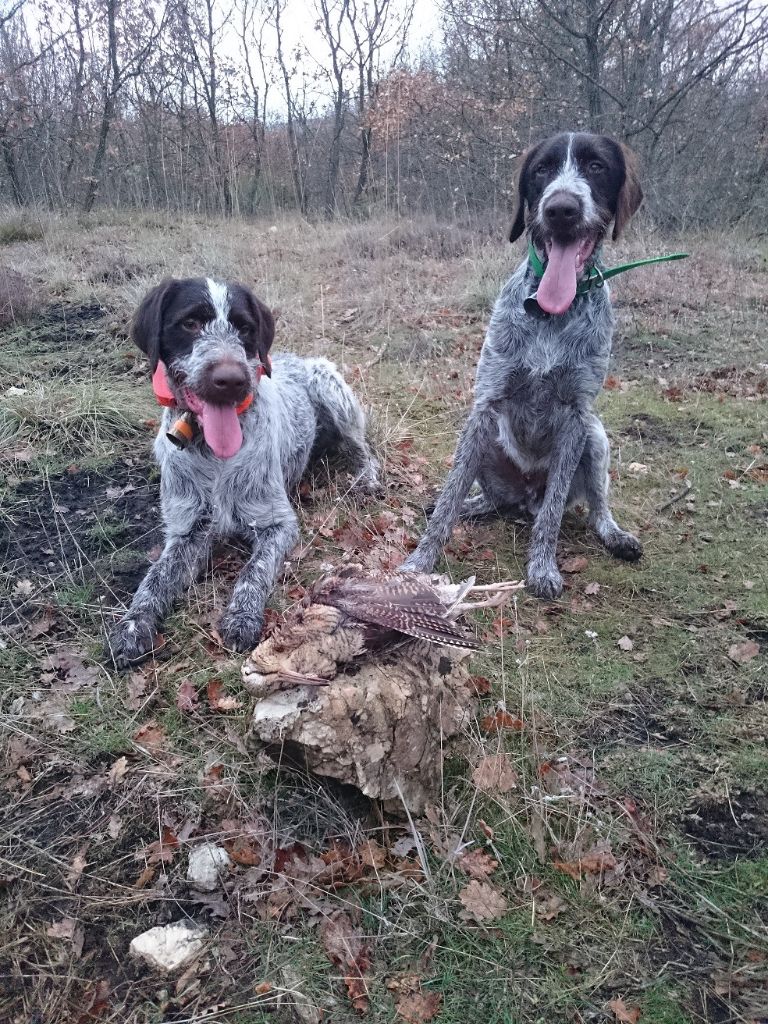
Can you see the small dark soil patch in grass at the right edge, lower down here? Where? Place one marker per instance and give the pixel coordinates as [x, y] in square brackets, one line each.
[730, 827]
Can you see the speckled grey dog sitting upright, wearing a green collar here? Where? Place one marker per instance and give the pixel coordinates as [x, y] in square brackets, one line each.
[533, 442]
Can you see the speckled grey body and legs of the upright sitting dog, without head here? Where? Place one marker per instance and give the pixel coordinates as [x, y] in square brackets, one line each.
[533, 441]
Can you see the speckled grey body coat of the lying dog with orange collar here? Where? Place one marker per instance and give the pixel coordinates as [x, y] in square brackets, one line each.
[305, 410]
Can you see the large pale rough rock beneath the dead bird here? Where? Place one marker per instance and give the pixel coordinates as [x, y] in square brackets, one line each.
[387, 729]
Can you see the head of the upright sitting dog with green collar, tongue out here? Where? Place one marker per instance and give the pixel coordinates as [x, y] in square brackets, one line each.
[571, 189]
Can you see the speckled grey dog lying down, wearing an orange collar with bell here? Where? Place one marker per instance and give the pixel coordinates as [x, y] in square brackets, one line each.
[259, 426]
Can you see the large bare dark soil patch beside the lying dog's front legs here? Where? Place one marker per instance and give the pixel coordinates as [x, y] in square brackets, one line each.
[106, 520]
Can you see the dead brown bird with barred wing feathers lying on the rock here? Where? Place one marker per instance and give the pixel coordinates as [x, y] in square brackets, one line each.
[357, 612]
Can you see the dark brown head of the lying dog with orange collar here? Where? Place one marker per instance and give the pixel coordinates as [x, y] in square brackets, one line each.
[212, 339]
